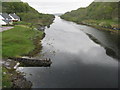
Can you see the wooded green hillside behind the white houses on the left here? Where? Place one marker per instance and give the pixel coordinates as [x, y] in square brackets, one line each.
[27, 13]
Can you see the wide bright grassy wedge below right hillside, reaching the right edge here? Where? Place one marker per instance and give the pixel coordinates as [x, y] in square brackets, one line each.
[107, 25]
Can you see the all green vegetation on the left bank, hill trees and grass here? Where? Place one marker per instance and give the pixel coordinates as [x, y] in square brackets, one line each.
[24, 38]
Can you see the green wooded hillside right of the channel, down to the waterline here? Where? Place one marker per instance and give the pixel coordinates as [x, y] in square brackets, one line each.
[103, 14]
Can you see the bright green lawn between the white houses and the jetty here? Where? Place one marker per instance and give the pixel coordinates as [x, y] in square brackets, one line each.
[18, 41]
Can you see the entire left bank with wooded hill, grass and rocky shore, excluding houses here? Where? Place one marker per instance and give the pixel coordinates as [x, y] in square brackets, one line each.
[22, 40]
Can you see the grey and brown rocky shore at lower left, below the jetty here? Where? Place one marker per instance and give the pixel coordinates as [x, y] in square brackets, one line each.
[17, 78]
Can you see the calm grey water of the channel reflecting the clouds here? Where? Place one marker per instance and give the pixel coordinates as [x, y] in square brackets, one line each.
[78, 61]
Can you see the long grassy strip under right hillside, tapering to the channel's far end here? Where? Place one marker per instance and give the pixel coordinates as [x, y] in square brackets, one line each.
[107, 25]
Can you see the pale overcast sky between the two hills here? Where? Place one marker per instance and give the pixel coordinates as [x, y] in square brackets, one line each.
[57, 6]
